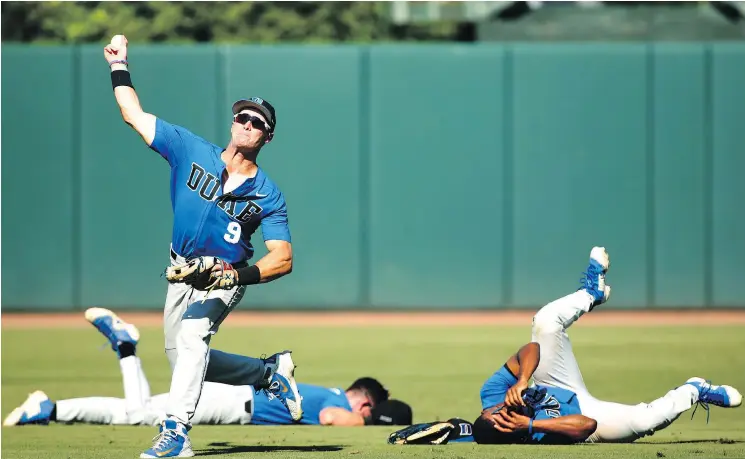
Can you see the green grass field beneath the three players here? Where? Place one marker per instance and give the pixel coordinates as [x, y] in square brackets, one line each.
[438, 370]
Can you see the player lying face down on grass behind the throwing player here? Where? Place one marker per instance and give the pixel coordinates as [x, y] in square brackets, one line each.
[365, 402]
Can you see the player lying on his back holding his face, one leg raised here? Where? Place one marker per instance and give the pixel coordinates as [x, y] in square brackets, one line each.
[558, 408]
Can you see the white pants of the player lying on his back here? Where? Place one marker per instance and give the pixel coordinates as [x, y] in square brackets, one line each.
[558, 367]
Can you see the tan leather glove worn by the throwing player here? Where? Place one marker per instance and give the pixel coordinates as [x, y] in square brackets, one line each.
[203, 273]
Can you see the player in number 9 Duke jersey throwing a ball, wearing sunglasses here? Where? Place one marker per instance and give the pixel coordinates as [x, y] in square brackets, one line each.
[220, 197]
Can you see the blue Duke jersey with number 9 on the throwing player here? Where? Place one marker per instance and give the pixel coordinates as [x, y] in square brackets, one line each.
[207, 221]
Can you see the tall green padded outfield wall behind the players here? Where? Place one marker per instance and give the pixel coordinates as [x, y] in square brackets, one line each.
[443, 176]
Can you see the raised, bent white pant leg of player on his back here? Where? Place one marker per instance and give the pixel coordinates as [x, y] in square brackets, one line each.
[558, 367]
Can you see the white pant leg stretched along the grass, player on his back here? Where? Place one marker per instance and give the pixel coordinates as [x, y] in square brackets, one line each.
[619, 423]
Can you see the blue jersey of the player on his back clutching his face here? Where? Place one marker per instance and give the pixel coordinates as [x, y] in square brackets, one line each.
[554, 403]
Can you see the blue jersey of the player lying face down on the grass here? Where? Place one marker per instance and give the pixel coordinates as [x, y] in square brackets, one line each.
[315, 399]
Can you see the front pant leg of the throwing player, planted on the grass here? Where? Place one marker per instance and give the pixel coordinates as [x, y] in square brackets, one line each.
[191, 318]
